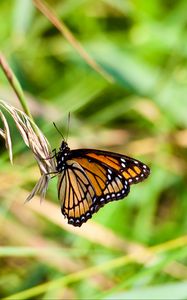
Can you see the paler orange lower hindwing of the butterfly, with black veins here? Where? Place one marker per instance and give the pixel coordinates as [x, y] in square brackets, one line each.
[75, 193]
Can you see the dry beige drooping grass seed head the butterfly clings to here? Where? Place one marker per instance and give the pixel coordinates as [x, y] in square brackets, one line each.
[35, 140]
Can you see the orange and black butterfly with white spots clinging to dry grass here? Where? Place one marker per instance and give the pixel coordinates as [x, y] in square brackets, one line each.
[88, 179]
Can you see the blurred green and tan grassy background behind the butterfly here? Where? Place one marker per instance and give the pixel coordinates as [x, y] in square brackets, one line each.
[132, 249]
